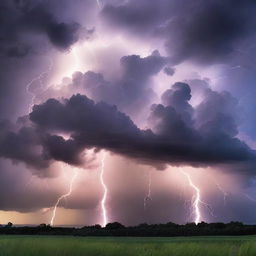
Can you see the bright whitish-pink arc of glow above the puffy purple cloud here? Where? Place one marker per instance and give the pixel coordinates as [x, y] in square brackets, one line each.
[87, 55]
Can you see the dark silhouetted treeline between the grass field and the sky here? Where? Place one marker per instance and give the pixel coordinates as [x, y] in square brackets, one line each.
[117, 229]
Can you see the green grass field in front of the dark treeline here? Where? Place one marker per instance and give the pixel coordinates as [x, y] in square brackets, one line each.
[79, 246]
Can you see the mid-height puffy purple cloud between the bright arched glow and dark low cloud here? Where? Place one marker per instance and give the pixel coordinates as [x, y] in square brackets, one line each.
[131, 90]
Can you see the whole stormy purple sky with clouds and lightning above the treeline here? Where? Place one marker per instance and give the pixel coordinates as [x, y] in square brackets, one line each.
[126, 110]
